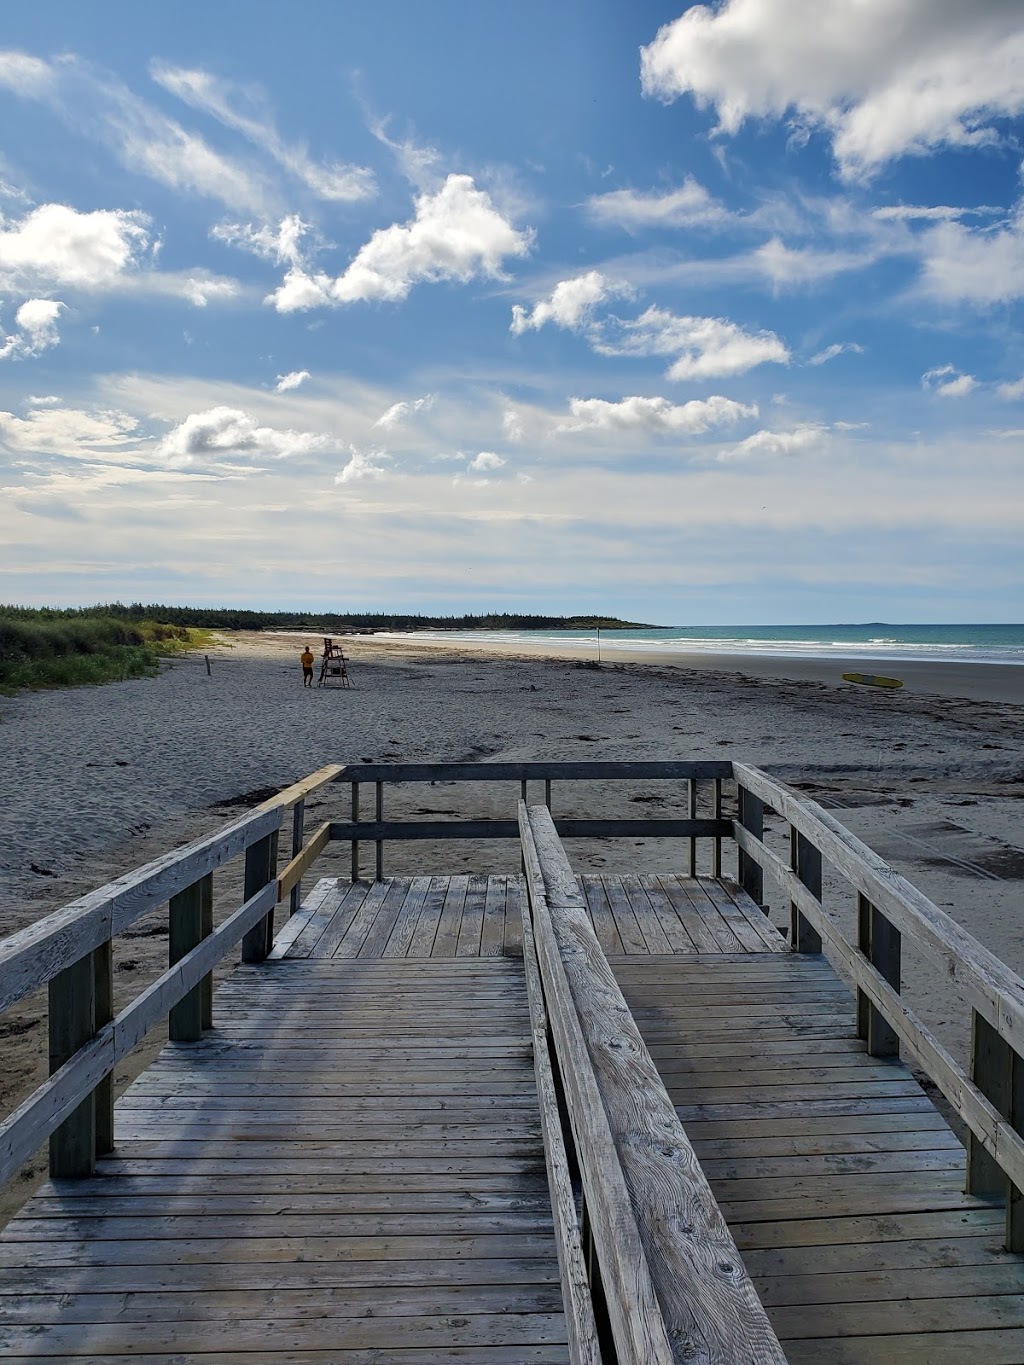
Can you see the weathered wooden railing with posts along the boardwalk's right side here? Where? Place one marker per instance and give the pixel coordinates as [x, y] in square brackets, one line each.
[991, 1101]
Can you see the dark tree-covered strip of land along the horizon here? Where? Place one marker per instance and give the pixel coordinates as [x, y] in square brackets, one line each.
[236, 619]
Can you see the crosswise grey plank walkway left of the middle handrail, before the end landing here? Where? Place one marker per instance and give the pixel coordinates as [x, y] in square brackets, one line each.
[347, 1169]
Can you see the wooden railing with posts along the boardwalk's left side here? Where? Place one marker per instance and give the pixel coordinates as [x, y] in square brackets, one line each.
[70, 952]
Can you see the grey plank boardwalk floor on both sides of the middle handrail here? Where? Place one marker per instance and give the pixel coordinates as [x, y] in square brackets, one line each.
[349, 1168]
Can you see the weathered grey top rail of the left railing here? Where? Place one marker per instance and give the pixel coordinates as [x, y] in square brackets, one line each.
[36, 955]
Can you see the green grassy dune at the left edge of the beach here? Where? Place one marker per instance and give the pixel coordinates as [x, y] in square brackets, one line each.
[66, 649]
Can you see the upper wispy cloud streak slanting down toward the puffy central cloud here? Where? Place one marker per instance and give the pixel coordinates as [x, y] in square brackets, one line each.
[221, 99]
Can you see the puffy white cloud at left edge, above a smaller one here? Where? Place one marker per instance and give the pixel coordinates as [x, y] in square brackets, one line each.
[59, 246]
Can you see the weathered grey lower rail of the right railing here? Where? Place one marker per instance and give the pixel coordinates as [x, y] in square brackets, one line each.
[996, 1135]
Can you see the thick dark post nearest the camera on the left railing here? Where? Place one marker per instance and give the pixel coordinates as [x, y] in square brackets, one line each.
[72, 1026]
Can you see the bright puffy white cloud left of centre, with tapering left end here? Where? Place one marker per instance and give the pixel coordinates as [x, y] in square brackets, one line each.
[457, 234]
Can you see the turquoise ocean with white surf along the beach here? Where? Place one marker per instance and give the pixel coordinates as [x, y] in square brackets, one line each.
[874, 641]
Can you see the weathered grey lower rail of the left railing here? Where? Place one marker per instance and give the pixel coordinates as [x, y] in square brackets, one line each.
[58, 1098]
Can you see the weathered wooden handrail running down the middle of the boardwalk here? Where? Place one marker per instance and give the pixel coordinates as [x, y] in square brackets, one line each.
[671, 1277]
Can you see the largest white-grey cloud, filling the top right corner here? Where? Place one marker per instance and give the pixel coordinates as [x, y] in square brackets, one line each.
[883, 78]
